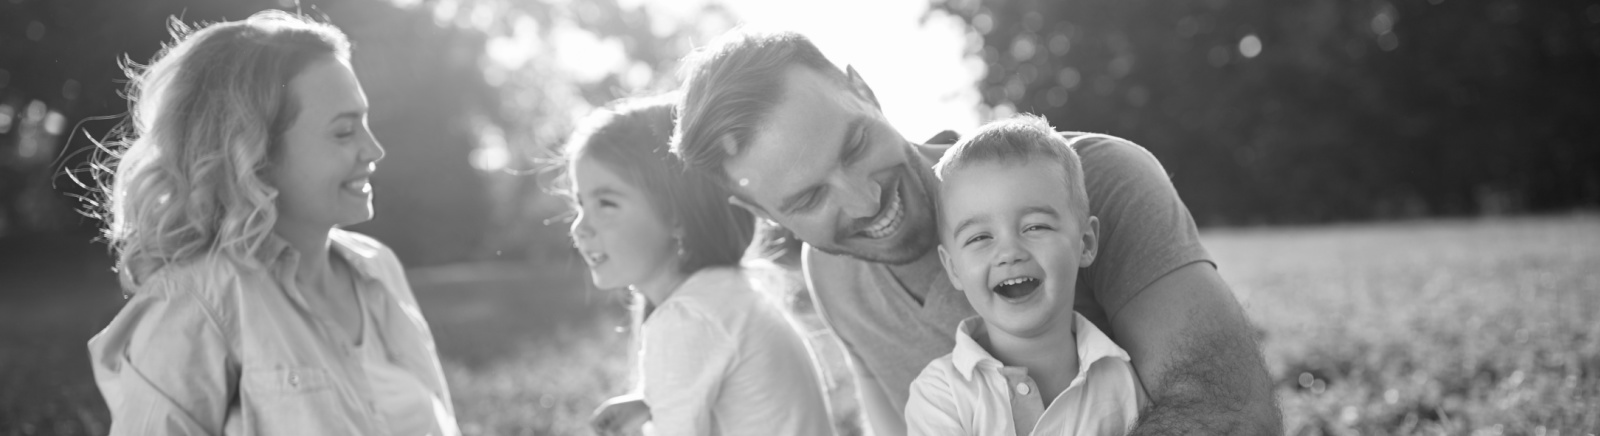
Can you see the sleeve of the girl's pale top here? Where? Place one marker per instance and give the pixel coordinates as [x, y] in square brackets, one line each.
[686, 360]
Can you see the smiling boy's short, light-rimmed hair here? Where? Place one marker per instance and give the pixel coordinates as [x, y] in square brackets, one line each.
[1020, 140]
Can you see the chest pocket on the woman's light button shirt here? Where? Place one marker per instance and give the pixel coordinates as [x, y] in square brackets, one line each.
[289, 400]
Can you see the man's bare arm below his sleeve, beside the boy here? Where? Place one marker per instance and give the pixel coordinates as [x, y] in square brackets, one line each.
[1198, 358]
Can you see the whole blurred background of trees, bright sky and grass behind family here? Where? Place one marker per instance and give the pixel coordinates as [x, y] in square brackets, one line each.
[1402, 195]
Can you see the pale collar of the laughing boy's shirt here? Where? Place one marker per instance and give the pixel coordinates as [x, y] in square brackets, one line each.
[1094, 345]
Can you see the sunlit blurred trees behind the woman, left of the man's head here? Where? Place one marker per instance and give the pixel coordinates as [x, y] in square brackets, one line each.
[465, 95]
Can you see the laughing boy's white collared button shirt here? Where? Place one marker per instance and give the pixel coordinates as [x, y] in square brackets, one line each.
[970, 392]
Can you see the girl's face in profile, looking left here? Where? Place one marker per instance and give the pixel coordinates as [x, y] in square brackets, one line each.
[620, 233]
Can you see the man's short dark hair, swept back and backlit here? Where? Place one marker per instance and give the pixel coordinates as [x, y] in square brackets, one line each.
[732, 87]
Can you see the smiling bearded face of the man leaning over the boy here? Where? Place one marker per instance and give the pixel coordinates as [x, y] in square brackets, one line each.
[828, 166]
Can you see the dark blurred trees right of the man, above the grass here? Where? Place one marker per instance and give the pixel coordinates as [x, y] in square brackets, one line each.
[1318, 110]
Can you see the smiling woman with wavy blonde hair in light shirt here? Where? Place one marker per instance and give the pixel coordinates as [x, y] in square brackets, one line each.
[249, 310]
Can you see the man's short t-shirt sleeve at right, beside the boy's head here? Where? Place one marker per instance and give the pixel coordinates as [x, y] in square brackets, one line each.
[1146, 230]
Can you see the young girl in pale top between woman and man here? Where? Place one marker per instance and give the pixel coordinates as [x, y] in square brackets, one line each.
[716, 358]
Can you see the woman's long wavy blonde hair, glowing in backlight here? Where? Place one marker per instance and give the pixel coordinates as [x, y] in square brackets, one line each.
[206, 121]
